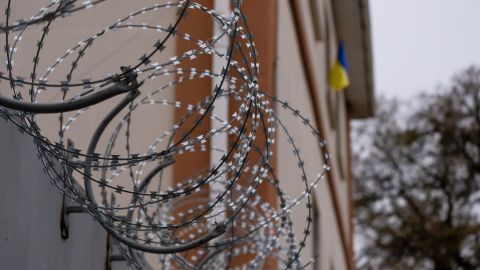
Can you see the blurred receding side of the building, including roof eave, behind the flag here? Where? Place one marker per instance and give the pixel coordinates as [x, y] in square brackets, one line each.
[309, 33]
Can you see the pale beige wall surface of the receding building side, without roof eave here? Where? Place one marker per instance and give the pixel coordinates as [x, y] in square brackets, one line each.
[292, 87]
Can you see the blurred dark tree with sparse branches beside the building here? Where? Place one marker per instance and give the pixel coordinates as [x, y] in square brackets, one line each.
[417, 169]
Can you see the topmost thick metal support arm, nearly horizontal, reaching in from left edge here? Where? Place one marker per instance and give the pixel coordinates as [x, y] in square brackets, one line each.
[69, 105]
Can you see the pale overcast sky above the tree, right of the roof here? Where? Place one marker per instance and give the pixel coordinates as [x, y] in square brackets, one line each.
[419, 44]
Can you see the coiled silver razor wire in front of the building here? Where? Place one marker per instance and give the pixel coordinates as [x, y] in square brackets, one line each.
[213, 218]
